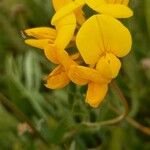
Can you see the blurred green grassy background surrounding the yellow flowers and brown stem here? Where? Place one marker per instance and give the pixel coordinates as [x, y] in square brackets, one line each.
[35, 118]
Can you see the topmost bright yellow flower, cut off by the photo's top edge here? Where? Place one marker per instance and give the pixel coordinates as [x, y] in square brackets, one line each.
[115, 8]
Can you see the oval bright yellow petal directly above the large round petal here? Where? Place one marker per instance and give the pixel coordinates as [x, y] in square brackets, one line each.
[115, 10]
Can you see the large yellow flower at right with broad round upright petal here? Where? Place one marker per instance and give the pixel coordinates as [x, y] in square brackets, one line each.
[100, 40]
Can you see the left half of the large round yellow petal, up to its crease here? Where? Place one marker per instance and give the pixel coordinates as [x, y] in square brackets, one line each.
[89, 40]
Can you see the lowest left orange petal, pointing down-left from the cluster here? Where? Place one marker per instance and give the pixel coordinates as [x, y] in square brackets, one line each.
[57, 79]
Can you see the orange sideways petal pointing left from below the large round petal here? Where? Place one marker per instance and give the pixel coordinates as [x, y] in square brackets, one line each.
[85, 73]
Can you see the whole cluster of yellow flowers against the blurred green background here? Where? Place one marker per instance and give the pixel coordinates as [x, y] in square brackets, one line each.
[99, 40]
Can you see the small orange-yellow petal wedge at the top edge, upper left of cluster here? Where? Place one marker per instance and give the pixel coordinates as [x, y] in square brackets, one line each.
[58, 4]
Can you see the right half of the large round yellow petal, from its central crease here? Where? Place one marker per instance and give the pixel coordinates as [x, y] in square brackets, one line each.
[117, 38]
